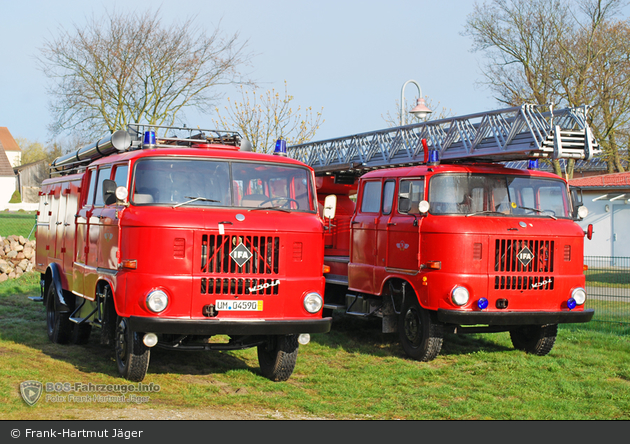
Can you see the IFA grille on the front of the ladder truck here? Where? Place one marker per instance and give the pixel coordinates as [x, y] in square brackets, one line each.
[524, 264]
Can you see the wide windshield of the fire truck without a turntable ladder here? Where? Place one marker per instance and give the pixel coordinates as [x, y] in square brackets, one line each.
[210, 183]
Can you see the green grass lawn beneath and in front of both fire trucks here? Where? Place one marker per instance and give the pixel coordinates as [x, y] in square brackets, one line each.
[353, 372]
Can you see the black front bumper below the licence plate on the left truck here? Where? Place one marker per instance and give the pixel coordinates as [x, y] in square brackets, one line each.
[228, 327]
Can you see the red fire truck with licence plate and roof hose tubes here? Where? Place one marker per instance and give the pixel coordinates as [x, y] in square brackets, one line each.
[187, 242]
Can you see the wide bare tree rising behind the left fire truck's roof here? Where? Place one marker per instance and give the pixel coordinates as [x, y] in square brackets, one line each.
[124, 68]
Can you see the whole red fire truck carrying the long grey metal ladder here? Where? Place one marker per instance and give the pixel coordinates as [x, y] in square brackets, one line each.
[452, 239]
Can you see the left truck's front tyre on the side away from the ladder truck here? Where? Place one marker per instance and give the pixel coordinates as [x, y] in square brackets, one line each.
[132, 356]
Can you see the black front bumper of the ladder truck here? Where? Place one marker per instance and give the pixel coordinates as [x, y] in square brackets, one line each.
[513, 318]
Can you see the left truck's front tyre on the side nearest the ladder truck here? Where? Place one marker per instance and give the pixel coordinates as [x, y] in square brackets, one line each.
[278, 356]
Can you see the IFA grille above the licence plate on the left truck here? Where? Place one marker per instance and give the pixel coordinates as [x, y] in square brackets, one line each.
[257, 273]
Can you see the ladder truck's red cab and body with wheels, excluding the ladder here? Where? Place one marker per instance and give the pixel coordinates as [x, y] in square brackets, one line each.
[466, 247]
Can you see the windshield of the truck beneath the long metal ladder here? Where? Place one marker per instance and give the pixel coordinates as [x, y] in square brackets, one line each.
[479, 194]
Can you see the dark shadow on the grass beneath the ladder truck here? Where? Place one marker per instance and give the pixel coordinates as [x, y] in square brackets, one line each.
[364, 335]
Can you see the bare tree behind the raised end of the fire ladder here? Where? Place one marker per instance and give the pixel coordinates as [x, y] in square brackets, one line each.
[557, 51]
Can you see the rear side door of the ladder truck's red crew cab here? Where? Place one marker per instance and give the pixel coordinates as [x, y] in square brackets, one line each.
[363, 252]
